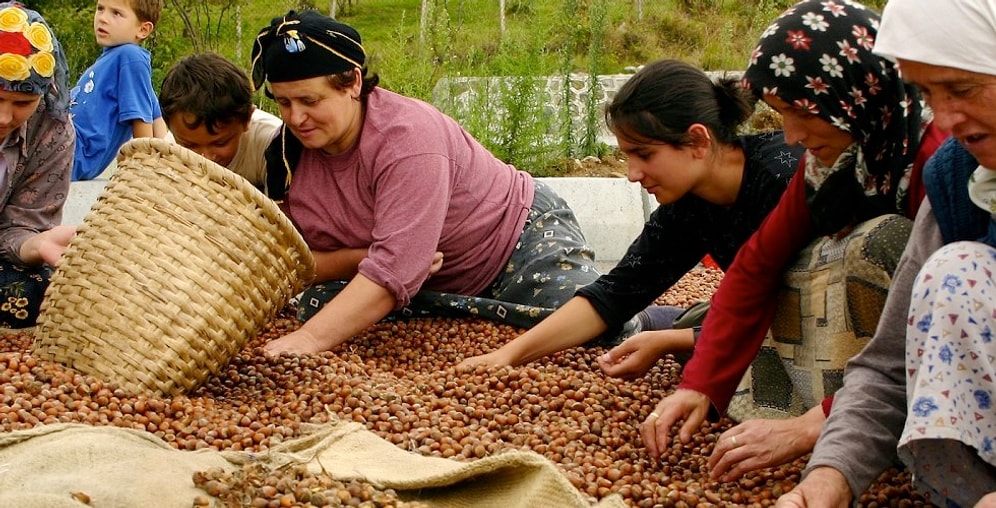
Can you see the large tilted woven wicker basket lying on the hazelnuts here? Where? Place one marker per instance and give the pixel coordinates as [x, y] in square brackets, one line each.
[178, 265]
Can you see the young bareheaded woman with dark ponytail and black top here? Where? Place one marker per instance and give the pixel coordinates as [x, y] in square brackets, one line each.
[679, 130]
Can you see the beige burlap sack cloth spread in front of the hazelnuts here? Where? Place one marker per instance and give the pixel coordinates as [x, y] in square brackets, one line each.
[43, 467]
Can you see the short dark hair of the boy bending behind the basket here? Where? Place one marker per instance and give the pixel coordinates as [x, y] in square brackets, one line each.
[210, 88]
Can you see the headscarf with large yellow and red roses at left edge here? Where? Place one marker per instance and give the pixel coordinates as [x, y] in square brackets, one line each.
[31, 59]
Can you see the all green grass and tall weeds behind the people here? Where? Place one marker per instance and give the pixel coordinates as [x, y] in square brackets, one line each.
[412, 50]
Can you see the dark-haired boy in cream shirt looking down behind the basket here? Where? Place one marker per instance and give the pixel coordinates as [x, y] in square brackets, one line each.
[206, 102]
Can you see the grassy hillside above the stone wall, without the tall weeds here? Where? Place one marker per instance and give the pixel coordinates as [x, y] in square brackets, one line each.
[463, 36]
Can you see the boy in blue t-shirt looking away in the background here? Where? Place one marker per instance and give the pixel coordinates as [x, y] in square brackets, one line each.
[114, 100]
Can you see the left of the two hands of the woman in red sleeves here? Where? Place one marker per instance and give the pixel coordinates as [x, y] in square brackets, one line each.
[688, 405]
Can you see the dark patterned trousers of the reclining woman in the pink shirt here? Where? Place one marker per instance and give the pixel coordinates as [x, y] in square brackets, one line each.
[549, 263]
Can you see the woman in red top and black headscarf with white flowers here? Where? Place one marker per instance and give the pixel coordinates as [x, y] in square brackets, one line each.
[866, 139]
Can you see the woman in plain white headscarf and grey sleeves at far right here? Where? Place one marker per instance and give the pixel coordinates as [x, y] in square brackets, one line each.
[923, 388]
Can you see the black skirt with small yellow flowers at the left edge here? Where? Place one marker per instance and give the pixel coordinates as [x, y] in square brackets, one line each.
[21, 292]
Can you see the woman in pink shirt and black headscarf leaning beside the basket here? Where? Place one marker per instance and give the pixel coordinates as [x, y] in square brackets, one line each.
[403, 209]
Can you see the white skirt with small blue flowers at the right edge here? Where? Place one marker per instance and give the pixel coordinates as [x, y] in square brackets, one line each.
[949, 442]
